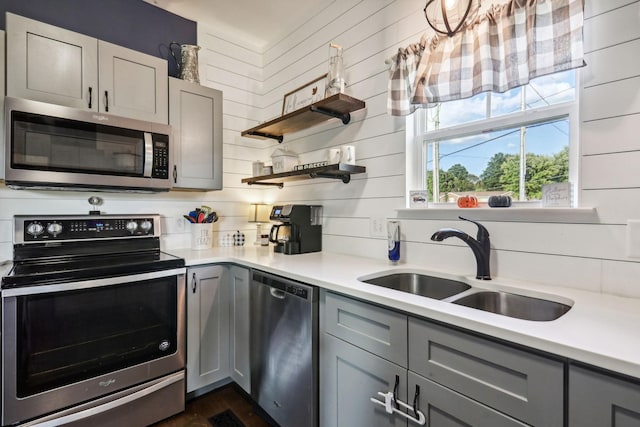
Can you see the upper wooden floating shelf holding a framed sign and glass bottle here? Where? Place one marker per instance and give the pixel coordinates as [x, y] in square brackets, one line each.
[336, 106]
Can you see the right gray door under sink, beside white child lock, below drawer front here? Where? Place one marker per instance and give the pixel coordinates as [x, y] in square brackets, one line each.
[444, 407]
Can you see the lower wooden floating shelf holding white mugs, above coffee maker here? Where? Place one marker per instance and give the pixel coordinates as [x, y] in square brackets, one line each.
[341, 171]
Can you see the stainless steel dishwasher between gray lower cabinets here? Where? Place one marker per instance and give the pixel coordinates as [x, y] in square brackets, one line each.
[284, 344]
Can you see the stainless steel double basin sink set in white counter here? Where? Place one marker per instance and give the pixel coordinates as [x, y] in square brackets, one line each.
[460, 293]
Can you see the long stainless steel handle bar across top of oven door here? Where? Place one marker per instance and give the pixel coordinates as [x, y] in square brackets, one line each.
[91, 283]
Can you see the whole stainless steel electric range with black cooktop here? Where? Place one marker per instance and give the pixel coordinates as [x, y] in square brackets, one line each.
[93, 323]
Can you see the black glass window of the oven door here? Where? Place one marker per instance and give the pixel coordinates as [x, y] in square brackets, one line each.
[65, 337]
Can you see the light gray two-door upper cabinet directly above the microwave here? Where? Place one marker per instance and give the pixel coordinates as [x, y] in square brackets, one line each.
[50, 64]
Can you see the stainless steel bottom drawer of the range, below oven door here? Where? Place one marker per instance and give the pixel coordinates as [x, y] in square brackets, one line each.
[140, 406]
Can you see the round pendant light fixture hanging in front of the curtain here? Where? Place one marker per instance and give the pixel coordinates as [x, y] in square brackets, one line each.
[448, 16]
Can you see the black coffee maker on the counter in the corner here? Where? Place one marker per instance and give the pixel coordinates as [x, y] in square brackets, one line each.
[299, 231]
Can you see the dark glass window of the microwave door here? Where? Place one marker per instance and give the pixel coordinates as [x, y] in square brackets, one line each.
[62, 145]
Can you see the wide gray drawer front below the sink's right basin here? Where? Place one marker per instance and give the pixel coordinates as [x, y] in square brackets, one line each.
[524, 385]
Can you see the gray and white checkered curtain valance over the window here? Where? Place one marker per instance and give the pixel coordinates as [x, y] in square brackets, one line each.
[501, 49]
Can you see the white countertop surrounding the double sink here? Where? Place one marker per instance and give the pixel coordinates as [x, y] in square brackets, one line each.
[601, 330]
